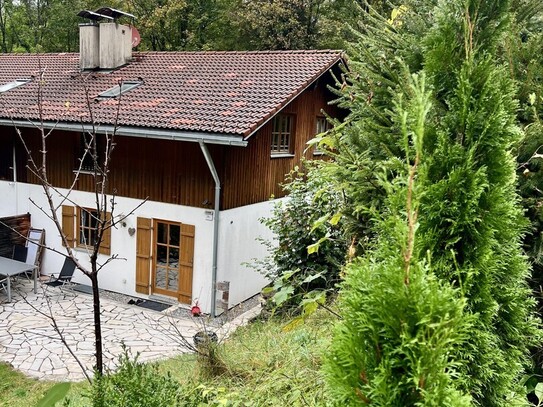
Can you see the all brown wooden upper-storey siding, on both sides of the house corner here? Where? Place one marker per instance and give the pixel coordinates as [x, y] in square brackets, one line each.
[176, 172]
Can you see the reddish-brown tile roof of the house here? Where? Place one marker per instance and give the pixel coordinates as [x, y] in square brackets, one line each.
[215, 92]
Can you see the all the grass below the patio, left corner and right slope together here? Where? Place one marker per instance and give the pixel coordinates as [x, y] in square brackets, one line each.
[260, 365]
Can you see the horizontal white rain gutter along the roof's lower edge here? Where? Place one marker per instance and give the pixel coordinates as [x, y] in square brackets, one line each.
[131, 131]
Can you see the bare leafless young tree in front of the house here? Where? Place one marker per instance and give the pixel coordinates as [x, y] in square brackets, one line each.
[102, 216]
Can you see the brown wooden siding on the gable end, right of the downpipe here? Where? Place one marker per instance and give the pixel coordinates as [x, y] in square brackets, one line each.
[252, 174]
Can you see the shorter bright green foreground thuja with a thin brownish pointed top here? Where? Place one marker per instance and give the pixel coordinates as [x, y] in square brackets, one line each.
[402, 330]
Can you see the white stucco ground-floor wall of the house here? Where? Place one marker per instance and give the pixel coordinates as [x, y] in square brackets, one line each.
[238, 229]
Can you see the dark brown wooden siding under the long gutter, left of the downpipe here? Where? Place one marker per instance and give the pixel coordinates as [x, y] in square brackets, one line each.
[160, 170]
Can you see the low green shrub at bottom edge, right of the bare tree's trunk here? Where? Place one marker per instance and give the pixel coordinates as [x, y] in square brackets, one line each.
[134, 384]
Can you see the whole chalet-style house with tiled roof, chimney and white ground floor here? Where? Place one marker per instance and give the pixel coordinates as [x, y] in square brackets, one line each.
[205, 137]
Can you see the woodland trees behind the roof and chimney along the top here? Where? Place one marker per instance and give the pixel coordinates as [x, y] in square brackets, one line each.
[52, 25]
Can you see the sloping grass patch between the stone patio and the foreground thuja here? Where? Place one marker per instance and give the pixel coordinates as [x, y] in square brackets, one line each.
[265, 366]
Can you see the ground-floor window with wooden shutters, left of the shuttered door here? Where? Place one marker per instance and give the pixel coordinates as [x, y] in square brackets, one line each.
[80, 226]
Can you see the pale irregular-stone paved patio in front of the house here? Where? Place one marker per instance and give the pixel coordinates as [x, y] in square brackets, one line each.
[30, 344]
